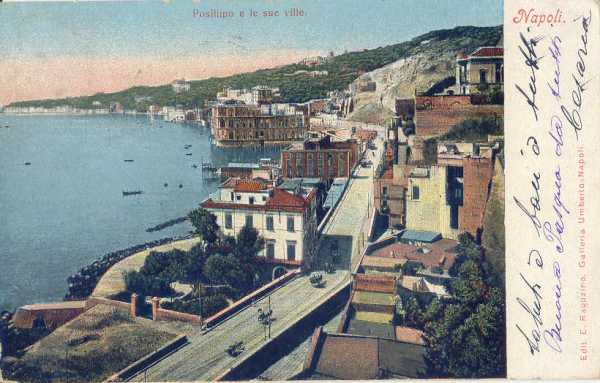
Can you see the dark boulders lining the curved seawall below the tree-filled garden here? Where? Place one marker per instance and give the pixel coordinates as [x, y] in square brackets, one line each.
[82, 284]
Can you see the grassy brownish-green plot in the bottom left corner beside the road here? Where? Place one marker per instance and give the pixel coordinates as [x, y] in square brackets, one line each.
[92, 347]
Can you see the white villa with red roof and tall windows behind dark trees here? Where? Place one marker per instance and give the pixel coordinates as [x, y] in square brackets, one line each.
[287, 221]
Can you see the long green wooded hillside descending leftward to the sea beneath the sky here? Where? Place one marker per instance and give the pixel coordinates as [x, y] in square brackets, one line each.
[438, 45]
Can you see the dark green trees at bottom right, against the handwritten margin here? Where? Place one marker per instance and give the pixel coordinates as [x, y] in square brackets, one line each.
[465, 336]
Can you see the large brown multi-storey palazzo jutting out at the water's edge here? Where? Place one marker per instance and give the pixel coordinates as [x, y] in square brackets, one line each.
[236, 124]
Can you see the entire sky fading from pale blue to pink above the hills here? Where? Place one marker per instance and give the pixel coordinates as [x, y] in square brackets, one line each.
[59, 49]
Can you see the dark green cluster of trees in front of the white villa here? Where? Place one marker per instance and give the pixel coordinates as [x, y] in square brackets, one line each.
[219, 268]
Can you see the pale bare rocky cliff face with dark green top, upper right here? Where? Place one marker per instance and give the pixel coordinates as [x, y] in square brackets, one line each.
[433, 59]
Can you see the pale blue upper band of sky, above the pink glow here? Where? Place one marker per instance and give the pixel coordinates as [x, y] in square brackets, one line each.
[158, 28]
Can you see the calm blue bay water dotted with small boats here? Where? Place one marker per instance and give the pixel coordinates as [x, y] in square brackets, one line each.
[67, 209]
